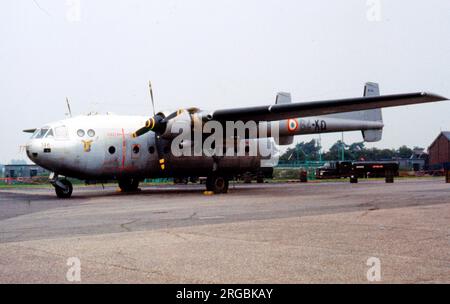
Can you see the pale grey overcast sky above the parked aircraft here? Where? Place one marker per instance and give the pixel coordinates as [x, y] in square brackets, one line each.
[220, 54]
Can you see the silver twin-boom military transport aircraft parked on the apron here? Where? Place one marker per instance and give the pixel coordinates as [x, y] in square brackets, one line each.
[131, 148]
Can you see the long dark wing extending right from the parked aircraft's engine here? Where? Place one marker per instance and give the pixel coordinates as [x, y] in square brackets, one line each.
[324, 107]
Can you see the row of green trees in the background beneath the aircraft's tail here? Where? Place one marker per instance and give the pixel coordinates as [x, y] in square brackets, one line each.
[310, 151]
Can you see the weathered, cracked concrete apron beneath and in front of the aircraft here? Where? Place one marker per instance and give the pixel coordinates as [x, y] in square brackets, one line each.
[271, 233]
